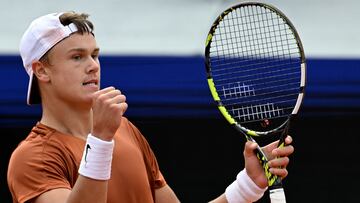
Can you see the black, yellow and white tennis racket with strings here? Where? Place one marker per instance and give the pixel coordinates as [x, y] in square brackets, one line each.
[256, 67]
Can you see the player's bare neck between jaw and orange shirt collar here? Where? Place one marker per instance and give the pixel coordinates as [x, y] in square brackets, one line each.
[67, 118]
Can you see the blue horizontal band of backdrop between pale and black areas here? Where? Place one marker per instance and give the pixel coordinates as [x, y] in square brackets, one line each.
[176, 86]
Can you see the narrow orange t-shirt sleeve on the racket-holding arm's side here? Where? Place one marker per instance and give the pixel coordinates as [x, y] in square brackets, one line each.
[150, 159]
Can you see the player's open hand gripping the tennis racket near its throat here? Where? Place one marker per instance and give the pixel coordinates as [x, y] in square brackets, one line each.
[278, 160]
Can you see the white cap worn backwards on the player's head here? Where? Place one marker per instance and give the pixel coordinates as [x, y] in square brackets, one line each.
[42, 34]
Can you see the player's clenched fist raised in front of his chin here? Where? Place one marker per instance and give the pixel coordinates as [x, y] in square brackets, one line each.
[108, 107]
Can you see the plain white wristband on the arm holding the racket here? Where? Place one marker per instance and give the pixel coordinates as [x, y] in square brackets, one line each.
[243, 189]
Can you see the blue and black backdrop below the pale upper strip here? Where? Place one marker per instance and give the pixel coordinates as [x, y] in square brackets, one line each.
[170, 103]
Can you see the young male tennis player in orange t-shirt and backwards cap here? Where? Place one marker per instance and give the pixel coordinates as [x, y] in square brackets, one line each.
[83, 149]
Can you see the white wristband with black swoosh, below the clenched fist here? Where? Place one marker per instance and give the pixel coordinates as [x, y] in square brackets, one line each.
[97, 158]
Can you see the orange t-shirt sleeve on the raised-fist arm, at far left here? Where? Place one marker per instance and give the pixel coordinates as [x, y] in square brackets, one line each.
[34, 169]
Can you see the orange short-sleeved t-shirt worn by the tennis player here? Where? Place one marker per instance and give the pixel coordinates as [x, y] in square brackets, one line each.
[48, 159]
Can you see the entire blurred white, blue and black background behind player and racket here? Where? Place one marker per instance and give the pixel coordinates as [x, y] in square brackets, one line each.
[152, 50]
